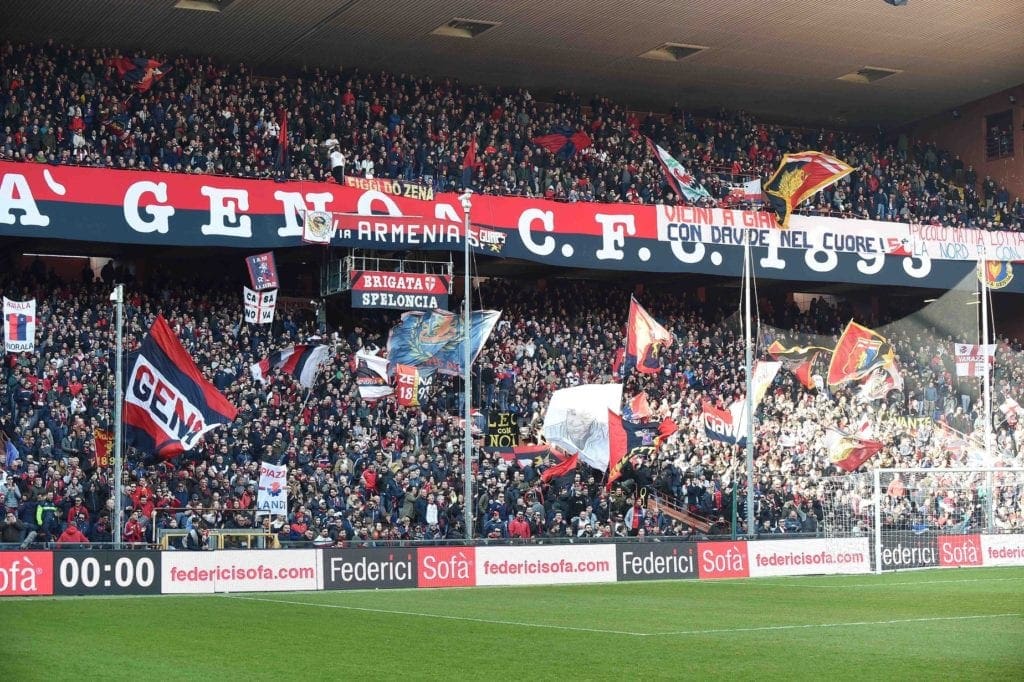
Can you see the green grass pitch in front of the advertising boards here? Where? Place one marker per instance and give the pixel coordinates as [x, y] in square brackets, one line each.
[936, 625]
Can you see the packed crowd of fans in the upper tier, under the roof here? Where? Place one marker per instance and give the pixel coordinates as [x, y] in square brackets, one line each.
[67, 106]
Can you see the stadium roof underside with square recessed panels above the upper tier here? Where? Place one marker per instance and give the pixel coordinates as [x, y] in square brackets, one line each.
[780, 59]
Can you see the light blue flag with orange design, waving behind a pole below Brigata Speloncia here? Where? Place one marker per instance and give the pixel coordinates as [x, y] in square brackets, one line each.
[435, 339]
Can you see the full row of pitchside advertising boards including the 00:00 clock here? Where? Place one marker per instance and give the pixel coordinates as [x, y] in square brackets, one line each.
[60, 573]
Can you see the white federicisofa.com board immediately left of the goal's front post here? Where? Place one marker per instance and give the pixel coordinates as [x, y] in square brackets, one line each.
[809, 558]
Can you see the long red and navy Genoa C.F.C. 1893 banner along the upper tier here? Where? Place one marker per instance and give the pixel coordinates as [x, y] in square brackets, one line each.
[165, 209]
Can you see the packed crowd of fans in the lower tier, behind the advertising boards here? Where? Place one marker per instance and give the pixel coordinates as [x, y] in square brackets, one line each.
[368, 473]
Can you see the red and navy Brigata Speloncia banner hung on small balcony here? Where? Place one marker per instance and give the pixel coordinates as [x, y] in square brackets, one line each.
[406, 291]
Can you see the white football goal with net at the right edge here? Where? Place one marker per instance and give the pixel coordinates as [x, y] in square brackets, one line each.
[919, 519]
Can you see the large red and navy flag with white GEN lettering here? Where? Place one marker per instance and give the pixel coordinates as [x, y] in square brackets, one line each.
[168, 404]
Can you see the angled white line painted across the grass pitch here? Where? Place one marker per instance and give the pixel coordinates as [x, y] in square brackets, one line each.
[623, 632]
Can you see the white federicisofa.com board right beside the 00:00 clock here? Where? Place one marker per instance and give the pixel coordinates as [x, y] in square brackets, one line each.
[240, 571]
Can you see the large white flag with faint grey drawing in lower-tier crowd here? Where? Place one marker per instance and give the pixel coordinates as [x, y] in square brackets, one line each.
[577, 421]
